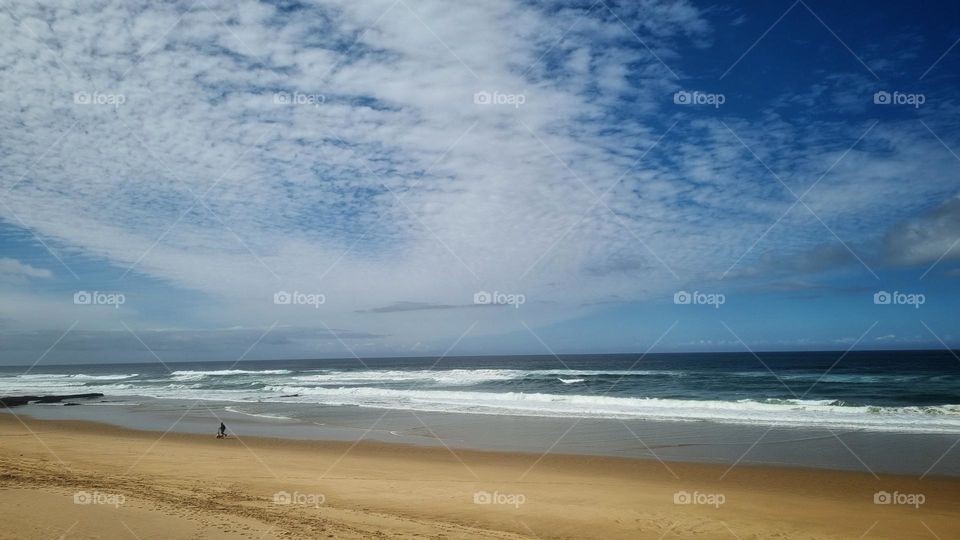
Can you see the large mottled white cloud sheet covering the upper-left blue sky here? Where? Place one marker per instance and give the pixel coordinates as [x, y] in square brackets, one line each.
[396, 187]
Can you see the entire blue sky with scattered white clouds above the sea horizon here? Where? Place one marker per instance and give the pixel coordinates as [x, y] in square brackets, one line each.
[253, 180]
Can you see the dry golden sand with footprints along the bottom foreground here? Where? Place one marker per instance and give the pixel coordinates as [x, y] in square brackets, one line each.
[87, 480]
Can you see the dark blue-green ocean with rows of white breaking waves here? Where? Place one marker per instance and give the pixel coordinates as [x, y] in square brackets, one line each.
[885, 391]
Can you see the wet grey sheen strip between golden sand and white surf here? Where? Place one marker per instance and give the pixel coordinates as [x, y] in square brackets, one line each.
[696, 442]
